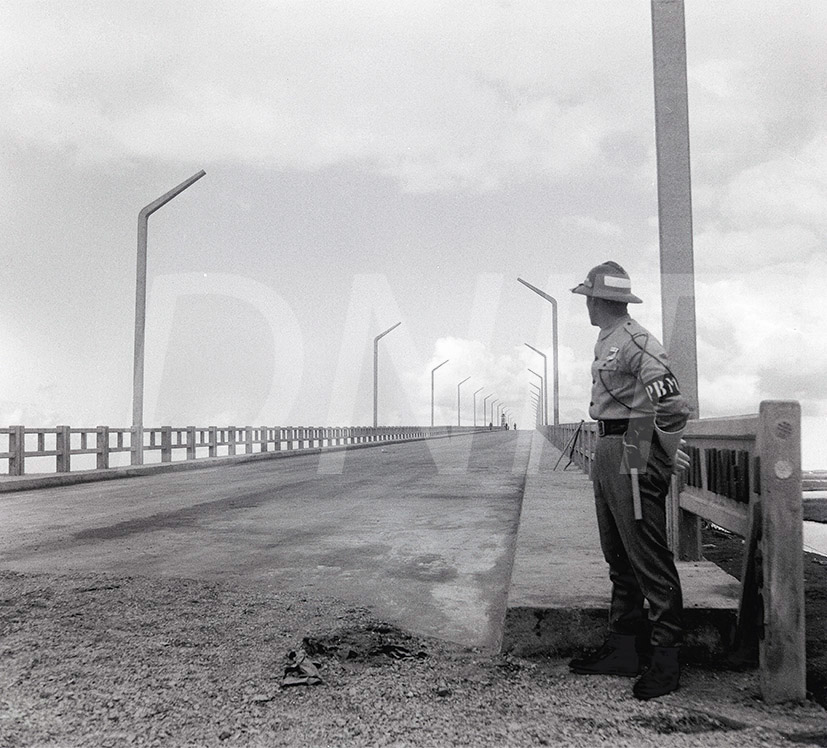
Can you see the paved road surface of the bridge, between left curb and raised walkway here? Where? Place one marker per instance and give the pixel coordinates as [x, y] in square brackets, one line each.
[422, 532]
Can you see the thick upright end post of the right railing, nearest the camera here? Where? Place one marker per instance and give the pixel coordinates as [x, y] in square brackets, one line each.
[782, 653]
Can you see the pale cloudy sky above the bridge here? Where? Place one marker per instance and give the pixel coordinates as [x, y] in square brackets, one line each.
[371, 162]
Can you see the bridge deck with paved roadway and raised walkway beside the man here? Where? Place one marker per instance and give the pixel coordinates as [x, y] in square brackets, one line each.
[469, 537]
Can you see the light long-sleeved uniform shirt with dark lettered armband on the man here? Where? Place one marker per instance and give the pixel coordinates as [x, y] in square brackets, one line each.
[631, 378]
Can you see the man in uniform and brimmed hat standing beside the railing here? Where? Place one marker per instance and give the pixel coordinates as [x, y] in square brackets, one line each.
[641, 415]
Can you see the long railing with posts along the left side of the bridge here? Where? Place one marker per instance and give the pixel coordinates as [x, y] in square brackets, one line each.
[189, 442]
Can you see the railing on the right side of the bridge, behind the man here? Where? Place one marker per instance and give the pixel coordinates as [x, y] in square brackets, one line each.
[745, 476]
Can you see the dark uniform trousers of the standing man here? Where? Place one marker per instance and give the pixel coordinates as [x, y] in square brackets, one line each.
[641, 566]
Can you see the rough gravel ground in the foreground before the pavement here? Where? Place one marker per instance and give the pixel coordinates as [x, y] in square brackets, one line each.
[95, 660]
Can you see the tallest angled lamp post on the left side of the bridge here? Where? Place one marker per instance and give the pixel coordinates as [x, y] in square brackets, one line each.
[137, 446]
